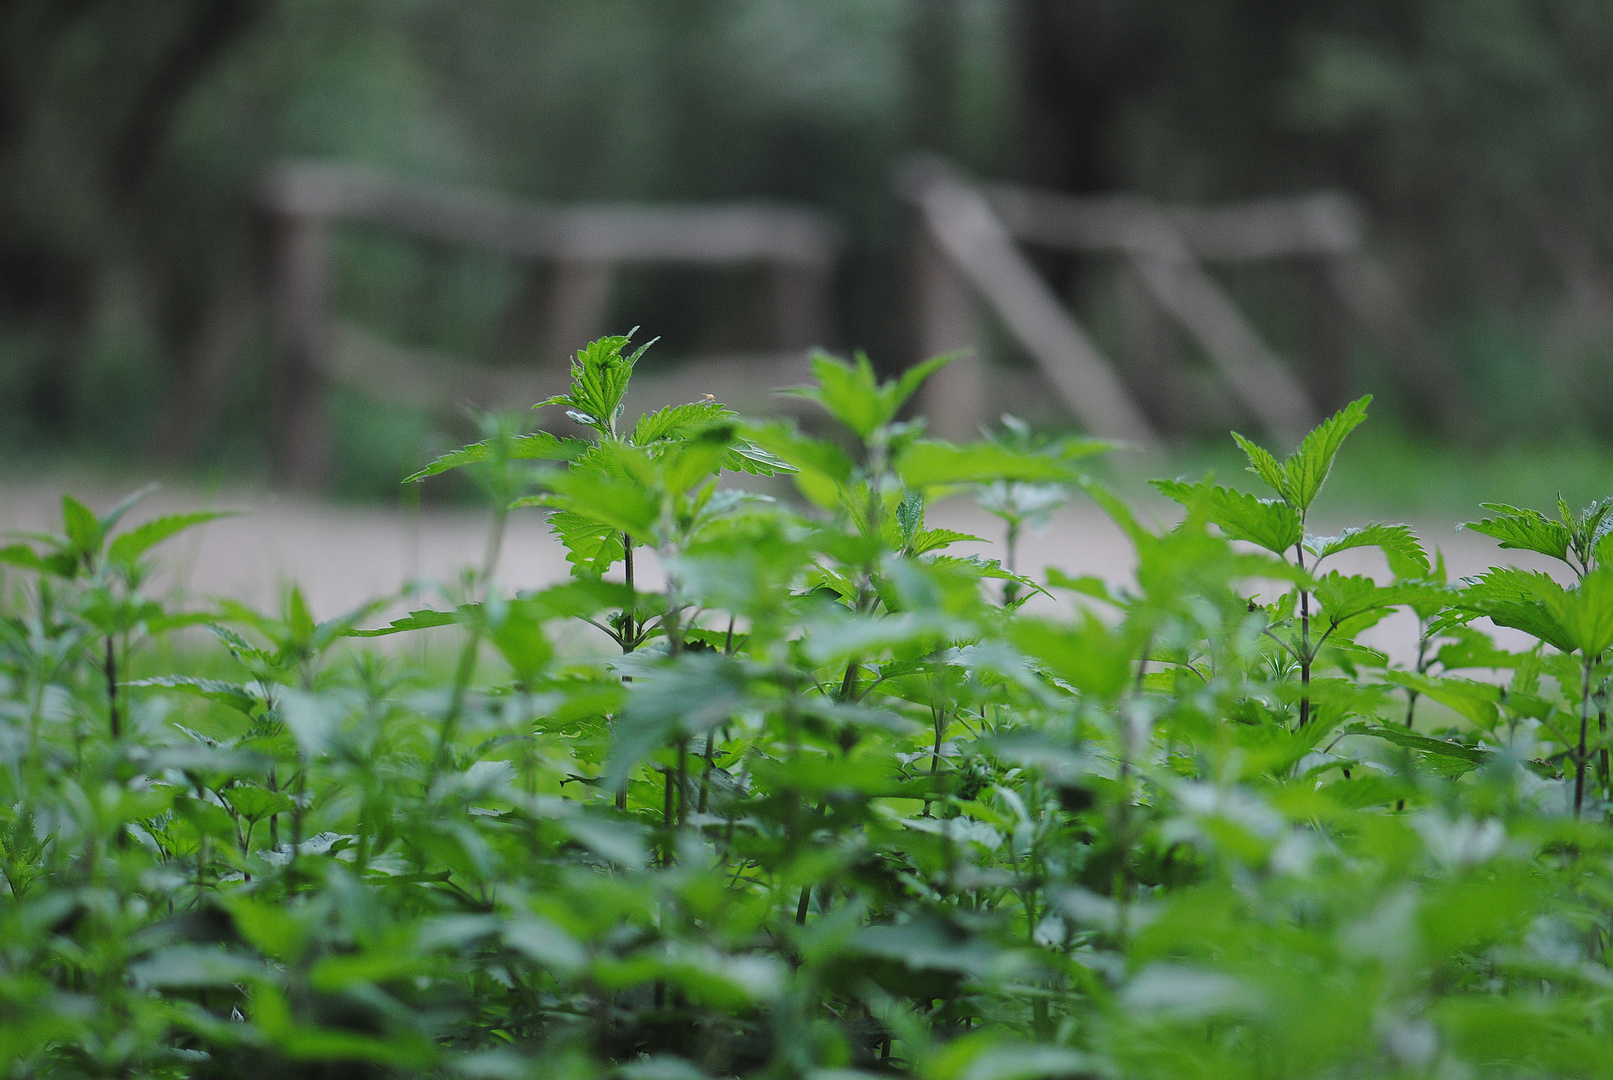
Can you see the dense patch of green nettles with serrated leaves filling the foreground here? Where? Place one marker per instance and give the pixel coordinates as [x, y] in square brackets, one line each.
[836, 797]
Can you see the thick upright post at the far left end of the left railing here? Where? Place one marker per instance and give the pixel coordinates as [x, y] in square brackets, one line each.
[301, 281]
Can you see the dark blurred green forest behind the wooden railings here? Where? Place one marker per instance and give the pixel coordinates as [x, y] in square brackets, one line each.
[133, 136]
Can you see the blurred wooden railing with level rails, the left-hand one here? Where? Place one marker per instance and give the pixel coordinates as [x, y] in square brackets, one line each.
[583, 246]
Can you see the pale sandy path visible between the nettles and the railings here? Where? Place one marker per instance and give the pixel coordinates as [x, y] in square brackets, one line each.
[344, 557]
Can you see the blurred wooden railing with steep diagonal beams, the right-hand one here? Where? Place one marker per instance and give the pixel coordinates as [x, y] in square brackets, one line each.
[970, 254]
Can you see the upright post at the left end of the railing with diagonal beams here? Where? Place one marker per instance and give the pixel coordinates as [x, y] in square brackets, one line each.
[954, 401]
